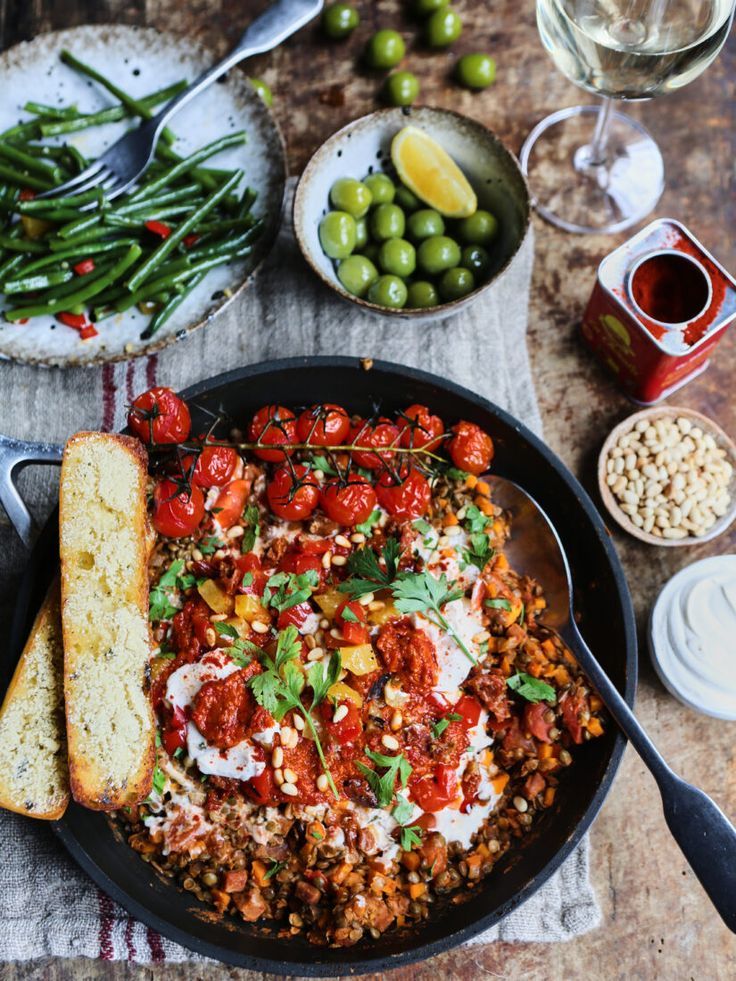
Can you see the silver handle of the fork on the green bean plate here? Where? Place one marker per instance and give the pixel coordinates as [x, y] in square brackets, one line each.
[274, 25]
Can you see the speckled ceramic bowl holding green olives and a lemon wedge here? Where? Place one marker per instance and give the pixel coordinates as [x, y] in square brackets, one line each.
[383, 232]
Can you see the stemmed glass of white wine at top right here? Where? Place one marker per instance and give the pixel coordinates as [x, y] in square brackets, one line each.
[592, 169]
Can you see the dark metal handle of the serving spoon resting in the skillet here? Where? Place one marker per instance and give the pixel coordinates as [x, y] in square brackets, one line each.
[705, 835]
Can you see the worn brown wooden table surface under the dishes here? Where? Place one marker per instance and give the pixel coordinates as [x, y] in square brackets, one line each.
[657, 921]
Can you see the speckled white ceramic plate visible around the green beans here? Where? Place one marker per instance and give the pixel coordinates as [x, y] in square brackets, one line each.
[141, 60]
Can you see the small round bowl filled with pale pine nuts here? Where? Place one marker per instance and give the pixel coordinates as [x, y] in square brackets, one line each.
[667, 476]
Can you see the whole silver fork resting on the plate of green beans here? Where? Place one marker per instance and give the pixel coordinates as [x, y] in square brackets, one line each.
[124, 162]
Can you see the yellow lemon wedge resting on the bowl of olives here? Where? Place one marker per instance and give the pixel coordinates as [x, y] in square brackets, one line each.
[430, 172]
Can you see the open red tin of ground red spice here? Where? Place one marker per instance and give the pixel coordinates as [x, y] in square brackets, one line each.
[660, 305]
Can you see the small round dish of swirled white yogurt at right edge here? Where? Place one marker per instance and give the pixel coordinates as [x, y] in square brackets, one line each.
[693, 636]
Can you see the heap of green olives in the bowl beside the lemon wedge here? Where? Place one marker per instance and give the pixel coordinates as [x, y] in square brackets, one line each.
[395, 252]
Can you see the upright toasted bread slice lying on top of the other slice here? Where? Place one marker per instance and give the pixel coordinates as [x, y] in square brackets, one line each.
[104, 544]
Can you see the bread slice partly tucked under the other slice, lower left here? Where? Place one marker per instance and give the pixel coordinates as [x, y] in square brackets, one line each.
[34, 778]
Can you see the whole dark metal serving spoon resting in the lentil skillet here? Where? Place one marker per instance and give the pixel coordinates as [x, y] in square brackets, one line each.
[703, 832]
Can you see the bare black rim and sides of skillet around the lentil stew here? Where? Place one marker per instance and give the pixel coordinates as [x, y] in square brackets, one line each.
[607, 622]
